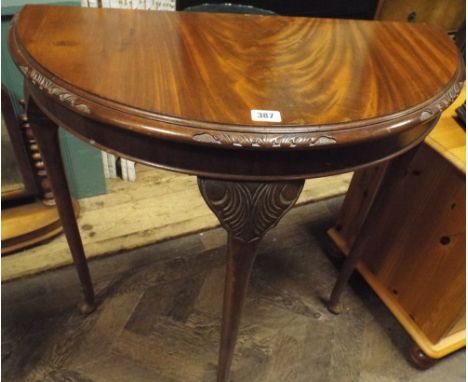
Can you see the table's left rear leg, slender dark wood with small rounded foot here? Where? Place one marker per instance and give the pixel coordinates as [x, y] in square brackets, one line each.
[46, 135]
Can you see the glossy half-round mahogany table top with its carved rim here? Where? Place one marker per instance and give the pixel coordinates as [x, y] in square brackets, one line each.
[197, 77]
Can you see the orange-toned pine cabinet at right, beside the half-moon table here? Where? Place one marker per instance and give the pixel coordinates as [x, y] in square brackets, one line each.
[415, 259]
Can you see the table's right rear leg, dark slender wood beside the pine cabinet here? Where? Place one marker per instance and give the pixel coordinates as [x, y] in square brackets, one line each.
[396, 170]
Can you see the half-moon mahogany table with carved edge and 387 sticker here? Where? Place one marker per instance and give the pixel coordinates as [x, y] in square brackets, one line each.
[251, 105]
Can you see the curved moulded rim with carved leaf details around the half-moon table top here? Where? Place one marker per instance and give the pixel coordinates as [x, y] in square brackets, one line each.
[219, 134]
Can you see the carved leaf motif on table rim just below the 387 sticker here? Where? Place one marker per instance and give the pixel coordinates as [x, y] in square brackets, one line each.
[265, 141]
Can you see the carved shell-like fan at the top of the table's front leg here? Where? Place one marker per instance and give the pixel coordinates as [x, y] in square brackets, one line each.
[248, 209]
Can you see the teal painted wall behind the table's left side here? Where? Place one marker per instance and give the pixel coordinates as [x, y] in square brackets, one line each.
[82, 162]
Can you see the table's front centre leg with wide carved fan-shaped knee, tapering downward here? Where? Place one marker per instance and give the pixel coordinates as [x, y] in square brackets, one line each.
[246, 210]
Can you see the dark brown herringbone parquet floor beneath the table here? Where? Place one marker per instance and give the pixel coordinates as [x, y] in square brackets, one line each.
[159, 311]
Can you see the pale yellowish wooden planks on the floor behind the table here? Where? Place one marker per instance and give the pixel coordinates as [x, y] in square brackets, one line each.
[160, 205]
